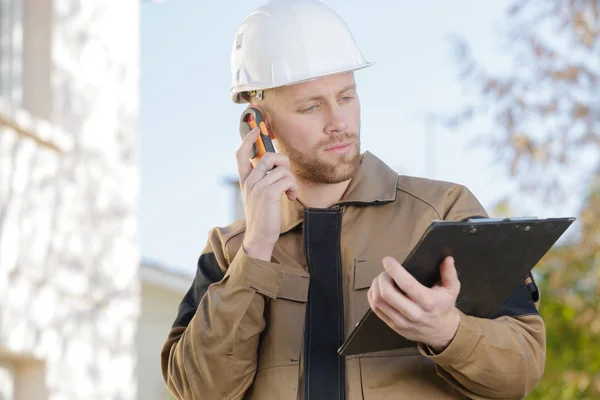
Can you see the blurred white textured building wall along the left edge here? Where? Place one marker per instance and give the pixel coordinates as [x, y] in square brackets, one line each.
[70, 293]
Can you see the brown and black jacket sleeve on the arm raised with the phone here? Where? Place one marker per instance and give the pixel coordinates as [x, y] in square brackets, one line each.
[211, 350]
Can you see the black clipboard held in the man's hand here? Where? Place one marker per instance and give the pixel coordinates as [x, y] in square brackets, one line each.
[492, 256]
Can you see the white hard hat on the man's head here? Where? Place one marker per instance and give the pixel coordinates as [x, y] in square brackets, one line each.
[290, 41]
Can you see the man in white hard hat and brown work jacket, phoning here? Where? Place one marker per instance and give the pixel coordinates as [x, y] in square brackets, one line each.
[325, 227]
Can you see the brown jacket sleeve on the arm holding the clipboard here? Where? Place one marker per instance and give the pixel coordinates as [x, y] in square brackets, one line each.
[498, 358]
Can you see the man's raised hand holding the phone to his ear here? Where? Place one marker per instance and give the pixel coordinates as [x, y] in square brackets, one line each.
[261, 193]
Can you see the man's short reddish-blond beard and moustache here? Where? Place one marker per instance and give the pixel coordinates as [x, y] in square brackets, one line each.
[310, 168]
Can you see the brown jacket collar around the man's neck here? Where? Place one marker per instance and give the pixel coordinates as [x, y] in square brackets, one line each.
[374, 182]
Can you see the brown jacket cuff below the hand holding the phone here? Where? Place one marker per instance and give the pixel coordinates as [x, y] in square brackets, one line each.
[261, 276]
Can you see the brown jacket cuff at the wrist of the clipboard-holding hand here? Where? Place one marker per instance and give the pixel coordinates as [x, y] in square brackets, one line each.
[462, 344]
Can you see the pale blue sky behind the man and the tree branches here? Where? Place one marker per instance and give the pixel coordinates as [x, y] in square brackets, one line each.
[189, 125]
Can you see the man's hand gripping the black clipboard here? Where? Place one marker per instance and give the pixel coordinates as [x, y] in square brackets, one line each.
[419, 313]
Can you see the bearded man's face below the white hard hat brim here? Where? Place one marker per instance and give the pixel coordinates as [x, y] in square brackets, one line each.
[317, 125]
